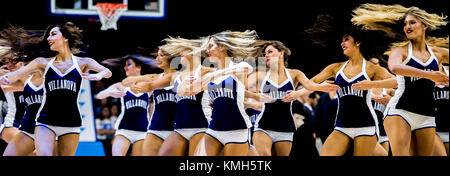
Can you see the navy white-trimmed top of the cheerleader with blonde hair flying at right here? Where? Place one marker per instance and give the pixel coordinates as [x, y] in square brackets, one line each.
[416, 94]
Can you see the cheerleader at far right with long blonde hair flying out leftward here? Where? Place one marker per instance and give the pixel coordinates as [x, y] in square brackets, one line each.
[410, 113]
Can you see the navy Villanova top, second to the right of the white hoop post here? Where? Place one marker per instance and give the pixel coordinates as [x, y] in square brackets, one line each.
[163, 116]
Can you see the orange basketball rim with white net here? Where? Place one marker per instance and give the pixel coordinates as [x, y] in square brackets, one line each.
[109, 14]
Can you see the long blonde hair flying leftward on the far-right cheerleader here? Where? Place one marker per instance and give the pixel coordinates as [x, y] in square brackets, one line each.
[385, 17]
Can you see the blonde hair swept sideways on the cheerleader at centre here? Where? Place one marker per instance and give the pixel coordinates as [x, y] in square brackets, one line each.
[239, 44]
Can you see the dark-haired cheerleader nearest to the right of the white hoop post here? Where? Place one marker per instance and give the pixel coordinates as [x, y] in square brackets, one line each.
[131, 126]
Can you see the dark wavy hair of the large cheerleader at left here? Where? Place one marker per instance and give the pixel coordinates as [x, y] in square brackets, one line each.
[68, 31]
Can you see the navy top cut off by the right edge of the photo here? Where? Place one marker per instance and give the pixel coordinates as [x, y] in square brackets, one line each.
[442, 109]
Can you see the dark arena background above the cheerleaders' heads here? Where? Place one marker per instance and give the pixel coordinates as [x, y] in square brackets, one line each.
[281, 20]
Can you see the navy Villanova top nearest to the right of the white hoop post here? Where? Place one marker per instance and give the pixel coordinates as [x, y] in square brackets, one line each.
[134, 113]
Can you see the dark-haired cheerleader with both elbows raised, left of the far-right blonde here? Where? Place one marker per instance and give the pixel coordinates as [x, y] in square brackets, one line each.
[355, 119]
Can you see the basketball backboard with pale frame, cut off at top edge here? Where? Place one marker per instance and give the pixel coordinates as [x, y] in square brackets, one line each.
[136, 8]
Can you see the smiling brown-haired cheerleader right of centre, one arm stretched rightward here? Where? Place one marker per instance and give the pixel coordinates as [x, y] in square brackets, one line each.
[276, 134]
